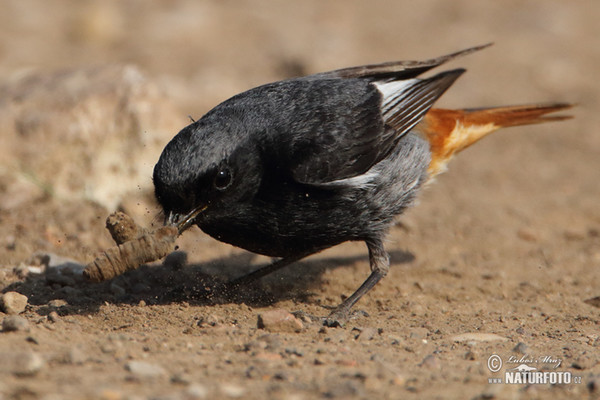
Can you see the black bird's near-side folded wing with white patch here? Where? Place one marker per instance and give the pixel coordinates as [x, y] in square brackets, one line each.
[358, 125]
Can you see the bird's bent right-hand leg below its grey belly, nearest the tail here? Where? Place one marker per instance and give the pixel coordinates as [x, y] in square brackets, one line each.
[380, 265]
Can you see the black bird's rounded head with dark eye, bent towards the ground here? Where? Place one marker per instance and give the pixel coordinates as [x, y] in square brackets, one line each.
[204, 171]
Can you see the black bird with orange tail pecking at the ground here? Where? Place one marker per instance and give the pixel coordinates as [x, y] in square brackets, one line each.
[294, 167]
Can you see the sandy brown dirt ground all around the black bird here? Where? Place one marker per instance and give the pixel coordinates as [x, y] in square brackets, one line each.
[507, 242]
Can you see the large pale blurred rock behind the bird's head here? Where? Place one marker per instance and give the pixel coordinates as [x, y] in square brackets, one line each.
[87, 133]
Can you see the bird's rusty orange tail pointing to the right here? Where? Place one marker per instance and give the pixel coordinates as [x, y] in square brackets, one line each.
[450, 131]
